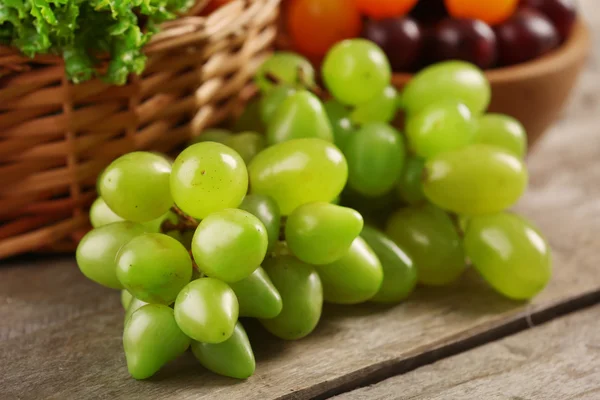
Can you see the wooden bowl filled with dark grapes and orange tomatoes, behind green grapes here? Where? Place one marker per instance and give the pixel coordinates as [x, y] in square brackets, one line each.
[532, 51]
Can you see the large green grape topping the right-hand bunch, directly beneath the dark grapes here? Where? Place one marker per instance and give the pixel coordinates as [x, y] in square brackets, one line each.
[450, 80]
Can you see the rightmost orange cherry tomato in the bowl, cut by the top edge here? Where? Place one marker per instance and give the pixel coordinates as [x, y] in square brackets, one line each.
[492, 12]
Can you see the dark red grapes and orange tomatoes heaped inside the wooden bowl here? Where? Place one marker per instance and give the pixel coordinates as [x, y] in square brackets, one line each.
[415, 33]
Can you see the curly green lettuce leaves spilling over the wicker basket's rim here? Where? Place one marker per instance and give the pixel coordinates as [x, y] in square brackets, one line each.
[83, 31]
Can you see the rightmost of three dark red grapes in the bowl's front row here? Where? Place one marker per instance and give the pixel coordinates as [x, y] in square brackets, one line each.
[526, 35]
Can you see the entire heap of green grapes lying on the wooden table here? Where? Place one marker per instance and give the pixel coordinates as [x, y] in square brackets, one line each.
[248, 224]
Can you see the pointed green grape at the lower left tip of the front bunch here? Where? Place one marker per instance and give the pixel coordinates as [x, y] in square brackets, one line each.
[151, 339]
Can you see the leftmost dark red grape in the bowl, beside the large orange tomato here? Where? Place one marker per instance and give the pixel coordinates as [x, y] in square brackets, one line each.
[400, 38]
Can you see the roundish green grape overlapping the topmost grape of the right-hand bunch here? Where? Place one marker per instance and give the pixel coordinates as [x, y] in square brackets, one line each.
[439, 127]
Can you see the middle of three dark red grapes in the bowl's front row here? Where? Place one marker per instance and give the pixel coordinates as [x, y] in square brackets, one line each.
[464, 39]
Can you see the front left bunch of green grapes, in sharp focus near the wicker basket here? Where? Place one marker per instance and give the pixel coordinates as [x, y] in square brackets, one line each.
[193, 249]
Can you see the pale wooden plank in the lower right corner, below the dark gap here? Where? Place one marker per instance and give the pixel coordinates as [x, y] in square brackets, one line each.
[558, 360]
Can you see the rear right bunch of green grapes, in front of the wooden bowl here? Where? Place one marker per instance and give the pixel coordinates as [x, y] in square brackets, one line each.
[449, 162]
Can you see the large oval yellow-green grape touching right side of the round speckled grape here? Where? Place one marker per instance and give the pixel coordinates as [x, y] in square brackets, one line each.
[299, 171]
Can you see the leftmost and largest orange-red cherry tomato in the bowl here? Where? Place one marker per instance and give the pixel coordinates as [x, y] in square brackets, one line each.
[316, 25]
